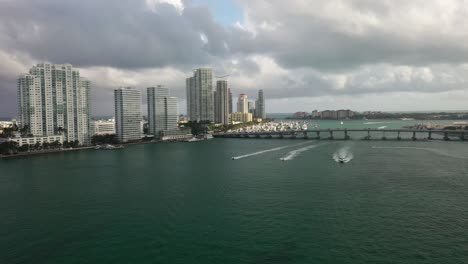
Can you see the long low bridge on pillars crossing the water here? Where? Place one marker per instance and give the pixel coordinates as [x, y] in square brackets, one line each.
[345, 134]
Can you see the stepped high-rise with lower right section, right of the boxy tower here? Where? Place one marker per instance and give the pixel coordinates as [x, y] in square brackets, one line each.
[163, 110]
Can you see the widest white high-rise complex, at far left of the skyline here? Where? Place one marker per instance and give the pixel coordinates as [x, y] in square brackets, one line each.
[53, 99]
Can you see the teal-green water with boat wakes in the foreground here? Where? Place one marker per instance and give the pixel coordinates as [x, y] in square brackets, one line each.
[394, 202]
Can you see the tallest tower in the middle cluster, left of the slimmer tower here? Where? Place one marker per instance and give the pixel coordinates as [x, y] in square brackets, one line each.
[199, 90]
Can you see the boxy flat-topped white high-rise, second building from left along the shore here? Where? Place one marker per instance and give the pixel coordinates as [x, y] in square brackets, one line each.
[127, 114]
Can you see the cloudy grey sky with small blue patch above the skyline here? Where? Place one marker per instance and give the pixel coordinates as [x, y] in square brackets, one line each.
[393, 55]
